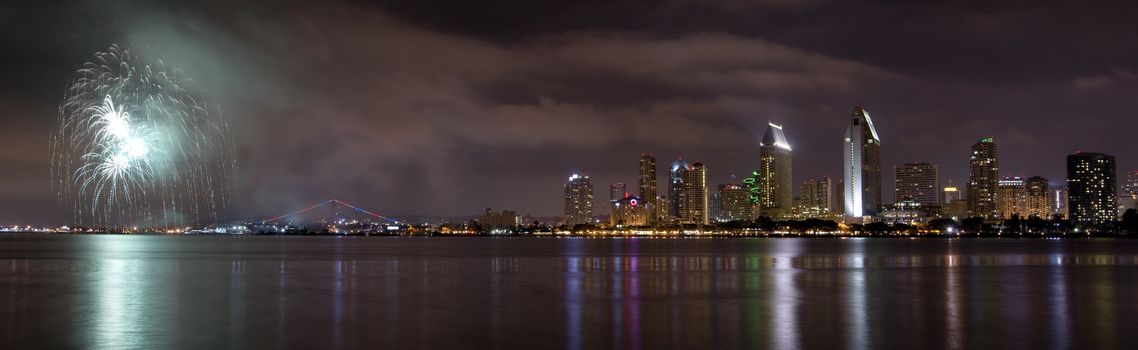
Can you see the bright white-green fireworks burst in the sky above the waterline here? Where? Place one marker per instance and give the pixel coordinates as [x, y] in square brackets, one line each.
[135, 147]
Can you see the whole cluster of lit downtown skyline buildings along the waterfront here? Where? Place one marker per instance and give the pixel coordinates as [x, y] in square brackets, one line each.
[1088, 198]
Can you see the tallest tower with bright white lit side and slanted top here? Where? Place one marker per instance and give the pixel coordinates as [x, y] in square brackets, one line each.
[862, 166]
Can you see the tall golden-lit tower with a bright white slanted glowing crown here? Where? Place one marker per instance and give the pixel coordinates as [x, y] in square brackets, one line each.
[777, 193]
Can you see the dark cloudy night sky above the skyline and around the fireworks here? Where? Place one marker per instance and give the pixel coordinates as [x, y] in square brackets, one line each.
[449, 107]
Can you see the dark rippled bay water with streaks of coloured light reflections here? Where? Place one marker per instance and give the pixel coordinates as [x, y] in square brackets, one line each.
[216, 293]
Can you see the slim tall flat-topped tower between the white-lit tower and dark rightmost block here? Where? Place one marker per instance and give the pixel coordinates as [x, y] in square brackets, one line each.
[984, 179]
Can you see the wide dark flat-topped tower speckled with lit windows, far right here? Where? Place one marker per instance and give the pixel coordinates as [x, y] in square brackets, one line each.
[1092, 186]
